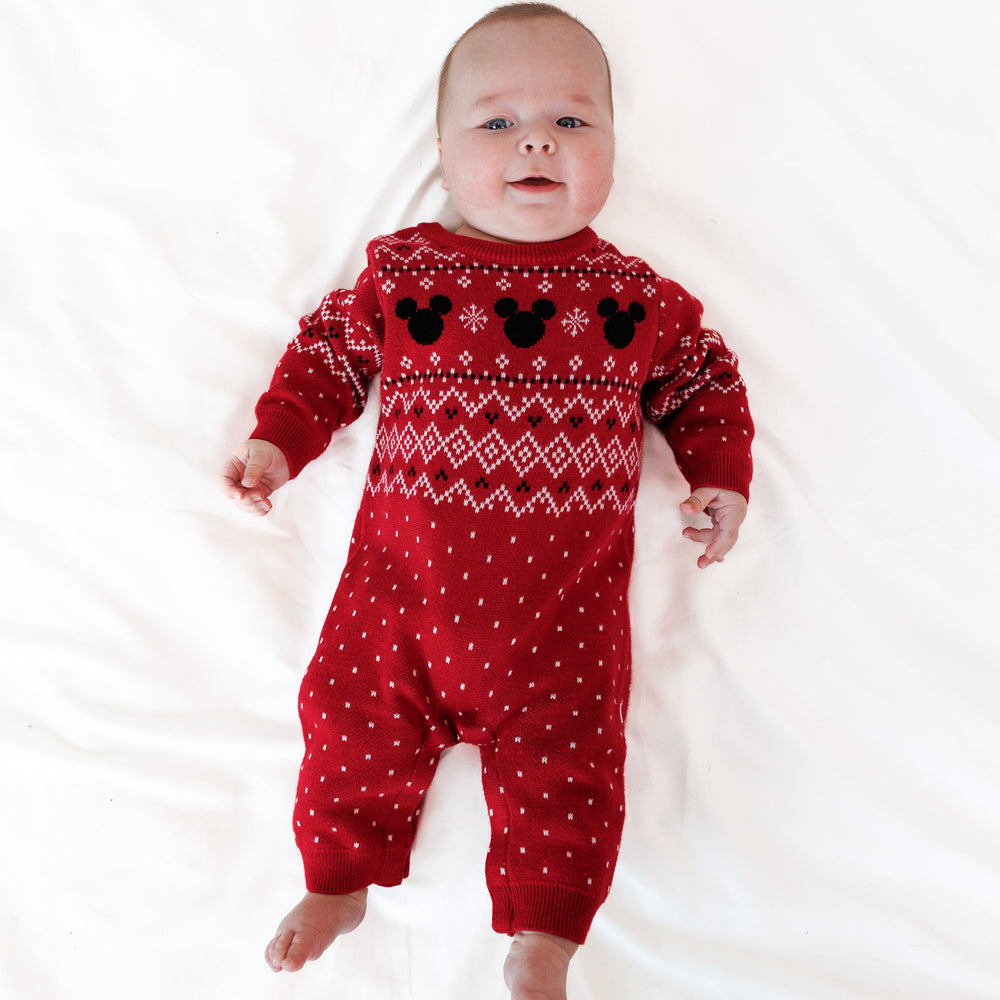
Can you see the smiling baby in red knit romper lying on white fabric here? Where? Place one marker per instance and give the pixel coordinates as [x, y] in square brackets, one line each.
[484, 597]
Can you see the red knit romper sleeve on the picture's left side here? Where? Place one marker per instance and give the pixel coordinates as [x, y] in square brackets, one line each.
[321, 382]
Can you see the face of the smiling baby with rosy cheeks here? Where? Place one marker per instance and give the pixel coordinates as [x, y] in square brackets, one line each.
[527, 138]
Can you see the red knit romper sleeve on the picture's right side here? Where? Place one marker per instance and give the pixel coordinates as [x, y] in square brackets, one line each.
[695, 395]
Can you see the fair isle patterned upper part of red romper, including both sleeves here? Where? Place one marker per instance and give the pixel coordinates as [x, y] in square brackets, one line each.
[513, 378]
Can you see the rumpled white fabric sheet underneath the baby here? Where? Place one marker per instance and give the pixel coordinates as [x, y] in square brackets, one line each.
[815, 755]
